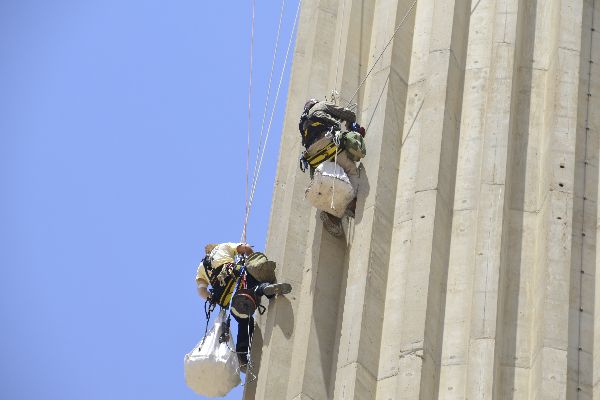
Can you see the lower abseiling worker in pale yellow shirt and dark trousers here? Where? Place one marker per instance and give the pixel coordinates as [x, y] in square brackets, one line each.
[216, 280]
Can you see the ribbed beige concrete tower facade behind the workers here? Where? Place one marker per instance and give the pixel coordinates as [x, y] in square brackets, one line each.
[470, 270]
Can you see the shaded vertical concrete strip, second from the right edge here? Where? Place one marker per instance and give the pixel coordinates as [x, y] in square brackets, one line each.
[511, 256]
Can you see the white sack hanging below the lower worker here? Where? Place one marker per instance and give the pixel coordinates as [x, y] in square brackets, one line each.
[212, 368]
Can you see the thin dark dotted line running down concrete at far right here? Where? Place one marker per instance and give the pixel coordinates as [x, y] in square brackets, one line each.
[583, 202]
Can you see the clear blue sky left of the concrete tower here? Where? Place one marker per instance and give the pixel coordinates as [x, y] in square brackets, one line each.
[123, 130]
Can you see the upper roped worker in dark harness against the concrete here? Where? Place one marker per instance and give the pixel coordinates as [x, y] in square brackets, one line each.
[327, 129]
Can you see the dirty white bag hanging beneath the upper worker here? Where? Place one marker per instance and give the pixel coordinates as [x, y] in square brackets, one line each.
[330, 189]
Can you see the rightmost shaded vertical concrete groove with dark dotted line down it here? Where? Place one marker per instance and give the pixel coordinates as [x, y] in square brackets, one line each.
[583, 367]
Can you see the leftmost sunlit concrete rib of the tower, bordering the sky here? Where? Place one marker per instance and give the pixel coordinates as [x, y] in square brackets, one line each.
[288, 238]
